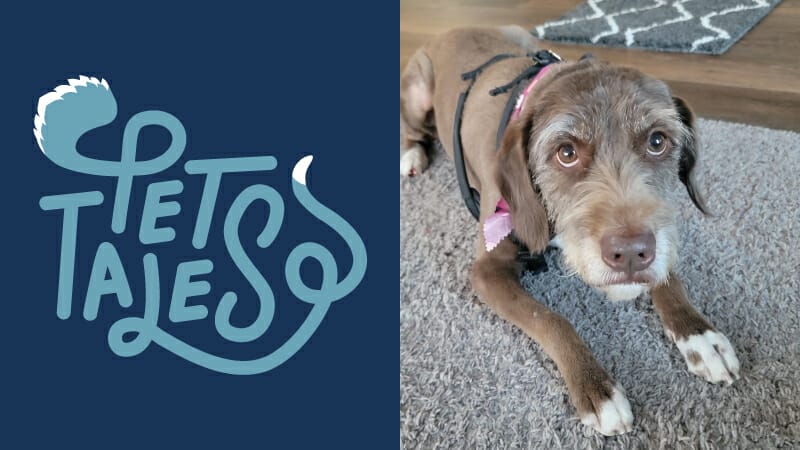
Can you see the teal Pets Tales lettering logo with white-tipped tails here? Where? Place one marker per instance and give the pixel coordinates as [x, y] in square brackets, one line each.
[85, 104]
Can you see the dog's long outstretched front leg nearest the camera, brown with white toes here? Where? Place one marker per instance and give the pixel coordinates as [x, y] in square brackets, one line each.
[600, 403]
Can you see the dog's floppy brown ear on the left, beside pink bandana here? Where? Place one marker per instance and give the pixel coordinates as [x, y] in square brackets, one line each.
[513, 177]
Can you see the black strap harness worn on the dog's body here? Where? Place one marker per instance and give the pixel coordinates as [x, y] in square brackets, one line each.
[533, 262]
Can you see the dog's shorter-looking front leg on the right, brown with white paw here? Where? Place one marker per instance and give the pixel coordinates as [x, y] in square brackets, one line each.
[707, 352]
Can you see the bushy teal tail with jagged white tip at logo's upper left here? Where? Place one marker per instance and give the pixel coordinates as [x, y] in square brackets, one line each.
[69, 111]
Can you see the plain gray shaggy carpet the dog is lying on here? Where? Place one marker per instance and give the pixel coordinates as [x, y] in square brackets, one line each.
[469, 380]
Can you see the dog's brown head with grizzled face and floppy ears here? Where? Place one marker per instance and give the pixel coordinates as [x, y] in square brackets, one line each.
[594, 155]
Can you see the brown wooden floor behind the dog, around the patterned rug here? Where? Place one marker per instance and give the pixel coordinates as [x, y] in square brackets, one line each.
[757, 81]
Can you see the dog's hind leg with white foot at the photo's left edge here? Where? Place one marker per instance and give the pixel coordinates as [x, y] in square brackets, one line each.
[416, 113]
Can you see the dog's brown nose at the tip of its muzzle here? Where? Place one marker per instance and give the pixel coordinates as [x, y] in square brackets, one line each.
[628, 252]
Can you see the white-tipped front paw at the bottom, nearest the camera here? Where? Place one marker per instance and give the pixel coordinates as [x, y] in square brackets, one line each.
[607, 411]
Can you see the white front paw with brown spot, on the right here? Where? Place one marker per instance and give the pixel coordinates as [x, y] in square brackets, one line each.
[711, 356]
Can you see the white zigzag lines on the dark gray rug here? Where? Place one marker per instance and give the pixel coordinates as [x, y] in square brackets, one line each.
[681, 14]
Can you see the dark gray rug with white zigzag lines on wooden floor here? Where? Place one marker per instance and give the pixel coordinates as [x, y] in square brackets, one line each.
[695, 26]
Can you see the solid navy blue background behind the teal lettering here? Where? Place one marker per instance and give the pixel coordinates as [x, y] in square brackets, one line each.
[291, 80]
